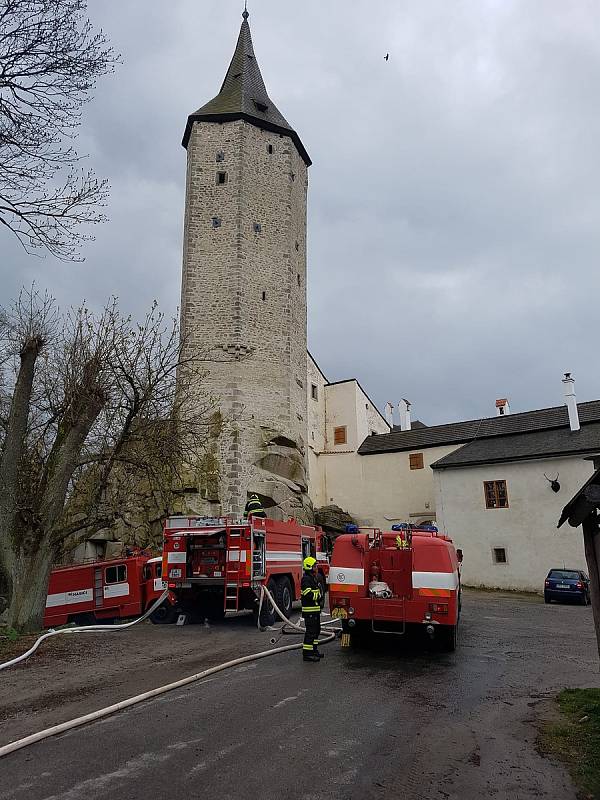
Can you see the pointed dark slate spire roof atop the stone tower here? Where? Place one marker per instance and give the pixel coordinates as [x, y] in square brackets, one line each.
[243, 95]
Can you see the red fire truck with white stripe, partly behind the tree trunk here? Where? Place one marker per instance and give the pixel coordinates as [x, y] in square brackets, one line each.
[101, 591]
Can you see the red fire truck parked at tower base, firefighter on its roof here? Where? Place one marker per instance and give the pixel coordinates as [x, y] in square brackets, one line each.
[216, 565]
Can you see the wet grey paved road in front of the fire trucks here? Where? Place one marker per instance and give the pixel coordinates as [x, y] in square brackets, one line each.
[392, 721]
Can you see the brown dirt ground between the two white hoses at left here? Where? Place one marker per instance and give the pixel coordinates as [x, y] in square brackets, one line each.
[74, 674]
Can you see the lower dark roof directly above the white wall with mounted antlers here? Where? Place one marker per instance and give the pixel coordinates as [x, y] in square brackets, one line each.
[555, 442]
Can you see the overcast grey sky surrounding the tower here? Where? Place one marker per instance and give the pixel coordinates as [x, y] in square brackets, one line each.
[454, 194]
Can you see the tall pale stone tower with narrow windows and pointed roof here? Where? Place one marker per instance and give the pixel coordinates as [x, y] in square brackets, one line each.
[244, 291]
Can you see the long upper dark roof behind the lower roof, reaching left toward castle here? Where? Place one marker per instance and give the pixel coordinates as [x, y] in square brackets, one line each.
[485, 428]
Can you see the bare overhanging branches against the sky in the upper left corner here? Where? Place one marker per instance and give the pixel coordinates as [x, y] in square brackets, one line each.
[50, 59]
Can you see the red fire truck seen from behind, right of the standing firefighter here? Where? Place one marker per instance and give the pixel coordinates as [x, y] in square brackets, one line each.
[384, 582]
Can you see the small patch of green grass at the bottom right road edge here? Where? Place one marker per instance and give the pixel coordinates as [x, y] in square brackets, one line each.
[576, 740]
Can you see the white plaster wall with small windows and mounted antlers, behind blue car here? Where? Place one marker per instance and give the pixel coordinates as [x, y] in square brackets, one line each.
[526, 530]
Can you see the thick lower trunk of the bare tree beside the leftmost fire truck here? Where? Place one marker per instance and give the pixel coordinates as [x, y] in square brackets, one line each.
[30, 587]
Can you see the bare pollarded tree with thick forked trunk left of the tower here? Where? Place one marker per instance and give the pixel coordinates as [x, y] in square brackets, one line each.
[92, 410]
